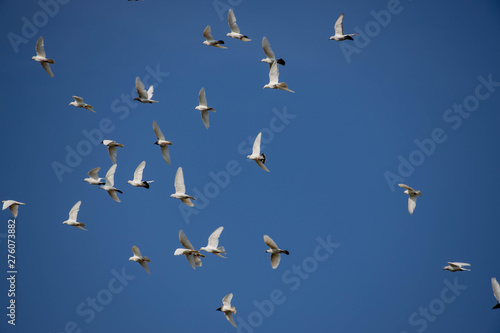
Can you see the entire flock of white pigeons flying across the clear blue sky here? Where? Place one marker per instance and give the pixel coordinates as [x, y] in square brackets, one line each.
[146, 96]
